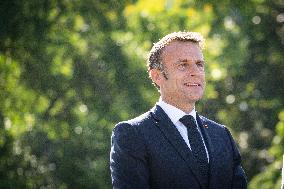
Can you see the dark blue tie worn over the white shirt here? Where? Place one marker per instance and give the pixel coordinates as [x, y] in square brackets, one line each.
[196, 144]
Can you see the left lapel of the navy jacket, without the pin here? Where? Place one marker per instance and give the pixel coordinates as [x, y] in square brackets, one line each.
[169, 130]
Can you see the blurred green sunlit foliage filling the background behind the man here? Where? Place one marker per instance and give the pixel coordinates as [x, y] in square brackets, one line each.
[69, 70]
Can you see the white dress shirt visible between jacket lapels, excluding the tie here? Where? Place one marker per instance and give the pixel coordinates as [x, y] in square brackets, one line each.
[175, 114]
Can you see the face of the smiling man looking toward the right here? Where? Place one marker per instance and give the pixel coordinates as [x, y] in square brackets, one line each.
[185, 76]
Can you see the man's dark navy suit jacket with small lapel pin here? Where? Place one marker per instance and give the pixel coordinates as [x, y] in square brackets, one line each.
[148, 152]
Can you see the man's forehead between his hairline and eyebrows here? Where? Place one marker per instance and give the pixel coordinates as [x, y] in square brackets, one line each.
[182, 50]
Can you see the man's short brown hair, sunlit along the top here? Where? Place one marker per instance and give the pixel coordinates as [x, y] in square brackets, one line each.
[155, 60]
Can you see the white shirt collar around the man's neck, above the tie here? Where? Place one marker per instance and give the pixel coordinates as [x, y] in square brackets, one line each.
[173, 112]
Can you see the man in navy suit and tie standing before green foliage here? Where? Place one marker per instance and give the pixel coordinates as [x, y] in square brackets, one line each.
[172, 146]
